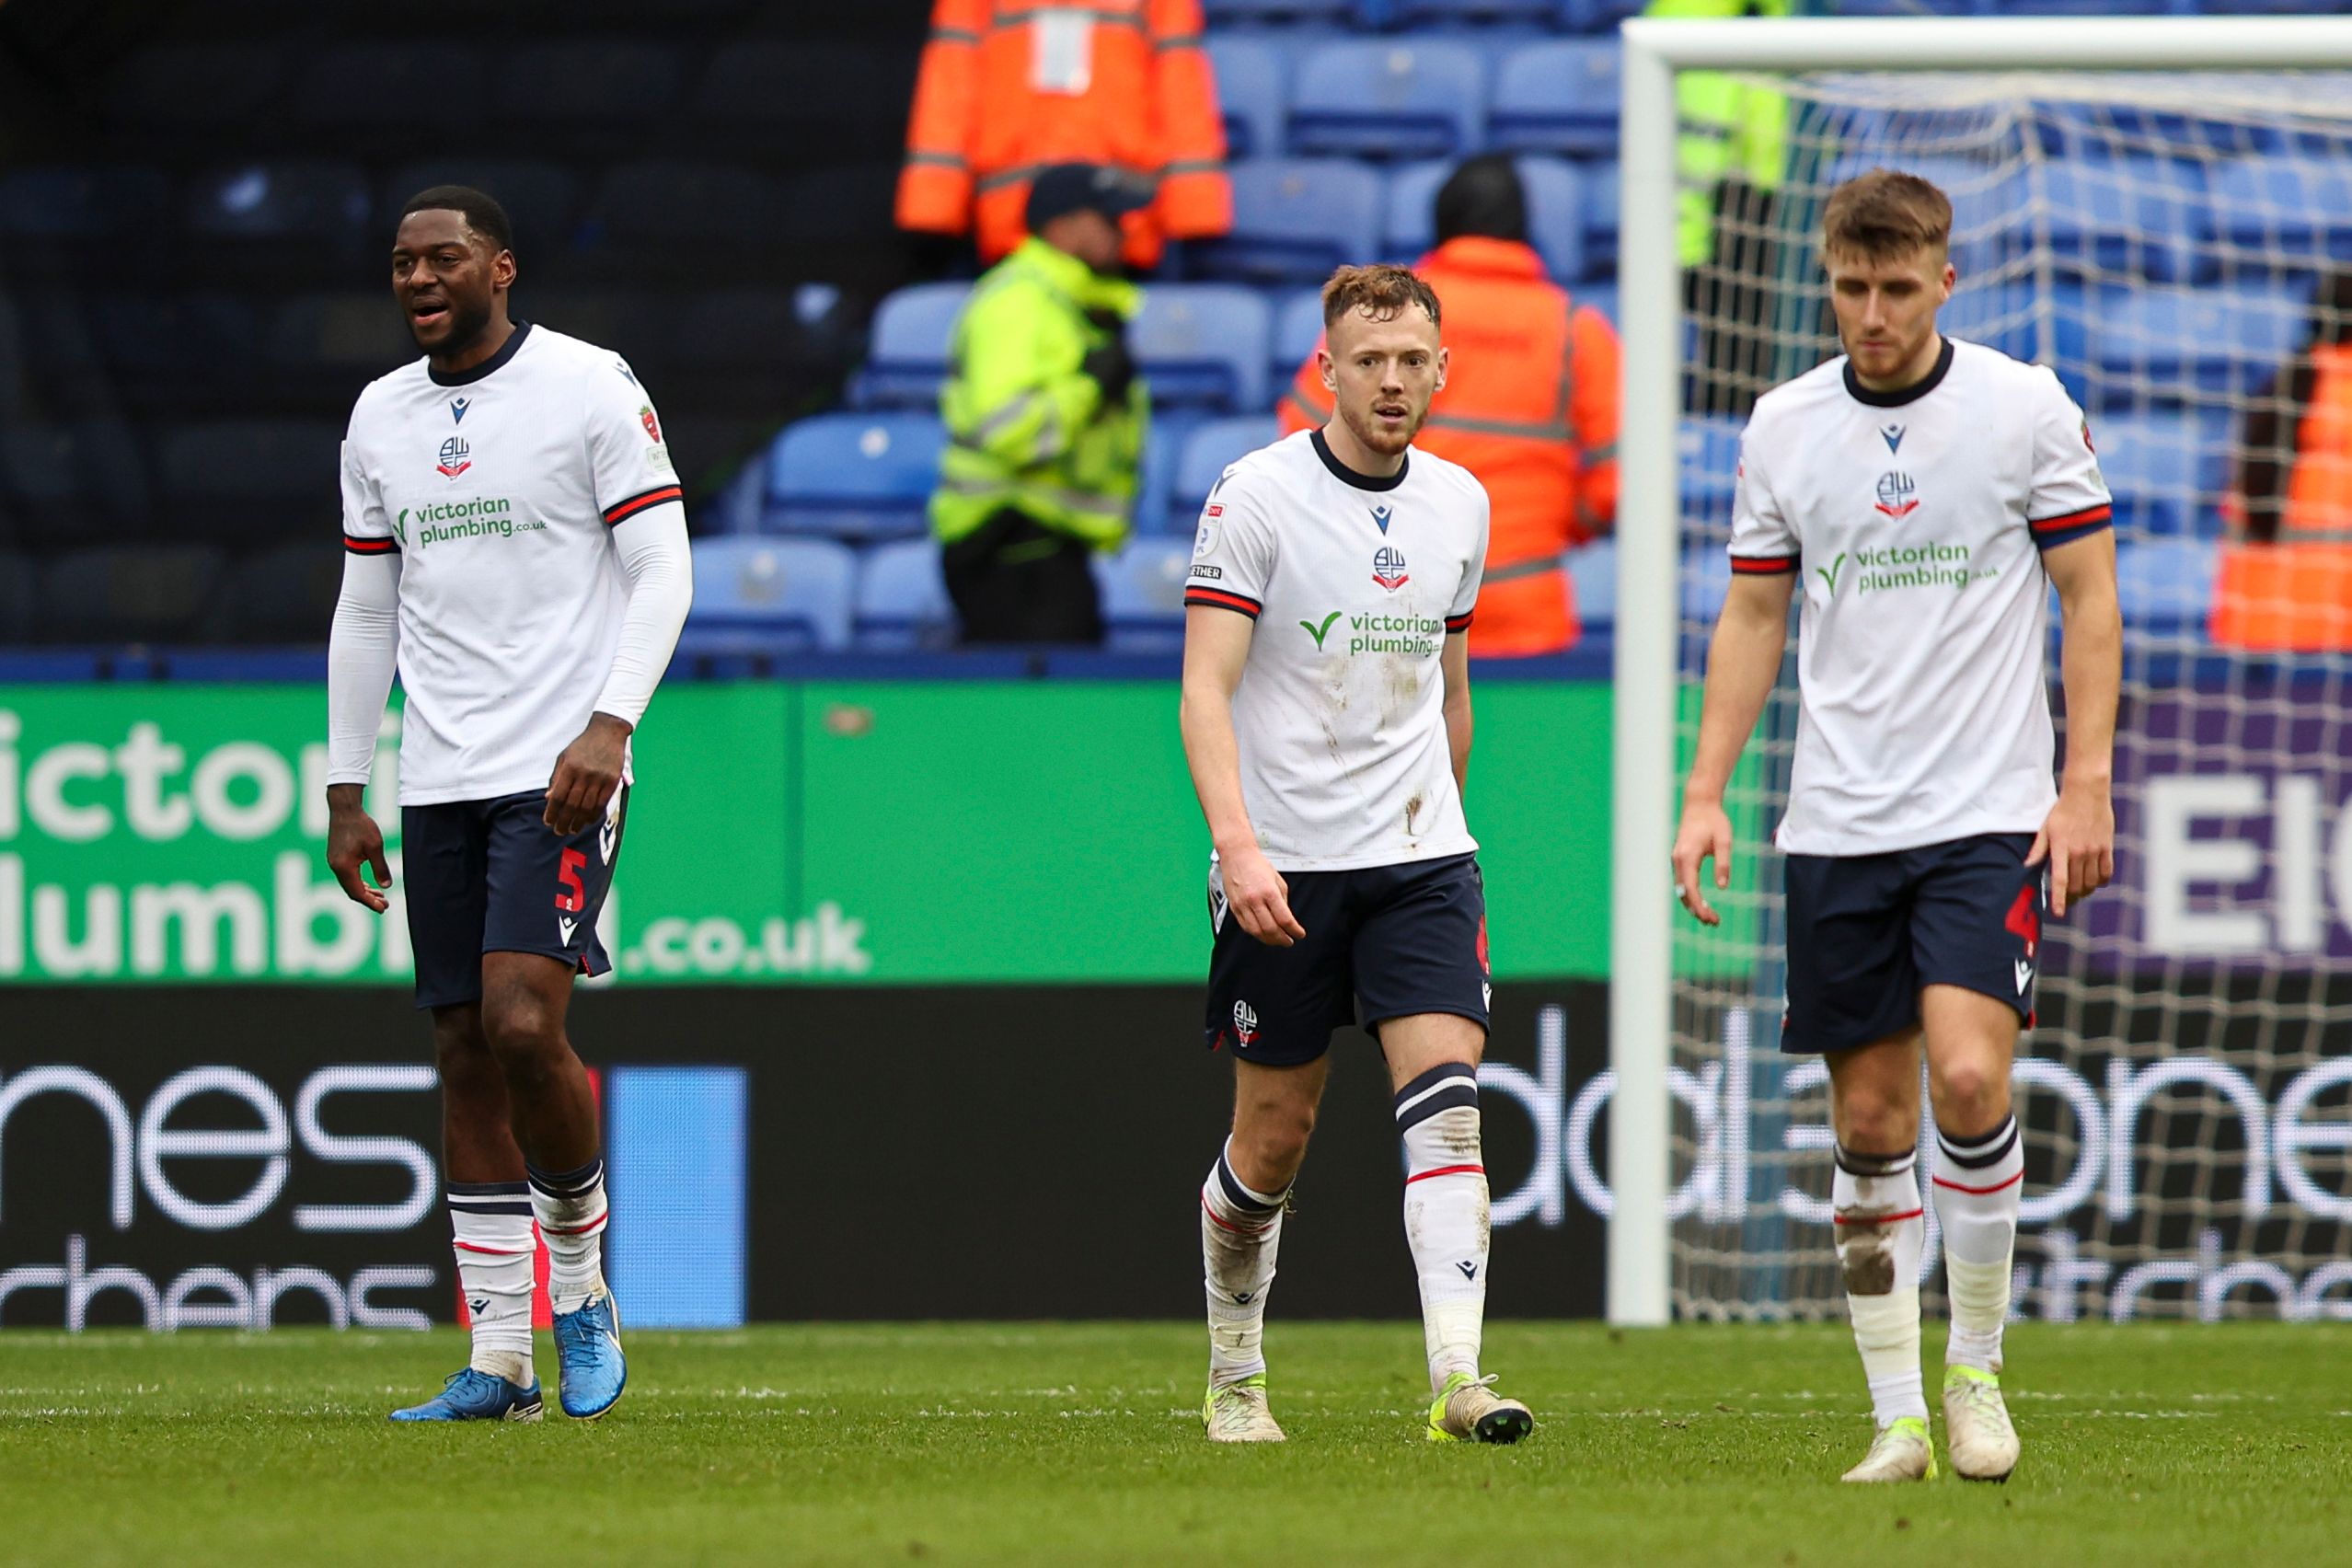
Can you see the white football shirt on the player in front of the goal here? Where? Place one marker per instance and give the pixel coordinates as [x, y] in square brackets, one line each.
[1918, 521]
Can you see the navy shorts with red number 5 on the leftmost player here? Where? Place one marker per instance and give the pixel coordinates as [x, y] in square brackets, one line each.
[488, 876]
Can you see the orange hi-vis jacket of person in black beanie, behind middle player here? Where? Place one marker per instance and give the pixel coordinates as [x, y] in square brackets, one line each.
[1532, 410]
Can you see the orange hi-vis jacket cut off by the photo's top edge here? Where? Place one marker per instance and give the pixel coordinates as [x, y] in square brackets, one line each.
[1015, 86]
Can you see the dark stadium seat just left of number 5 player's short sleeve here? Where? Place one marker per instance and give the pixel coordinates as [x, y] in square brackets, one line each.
[250, 481]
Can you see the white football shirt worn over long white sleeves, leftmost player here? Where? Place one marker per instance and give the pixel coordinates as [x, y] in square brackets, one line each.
[500, 490]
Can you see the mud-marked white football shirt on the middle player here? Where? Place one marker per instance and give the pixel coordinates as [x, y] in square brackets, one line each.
[1356, 587]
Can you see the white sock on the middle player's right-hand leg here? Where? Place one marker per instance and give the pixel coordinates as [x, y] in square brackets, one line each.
[1445, 1214]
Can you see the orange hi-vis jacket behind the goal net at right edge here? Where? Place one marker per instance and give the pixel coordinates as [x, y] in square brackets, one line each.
[2297, 594]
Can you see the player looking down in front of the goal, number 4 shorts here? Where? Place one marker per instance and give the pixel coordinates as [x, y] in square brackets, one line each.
[1925, 497]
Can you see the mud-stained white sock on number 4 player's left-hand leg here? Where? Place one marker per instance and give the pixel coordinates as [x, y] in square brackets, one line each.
[1880, 1233]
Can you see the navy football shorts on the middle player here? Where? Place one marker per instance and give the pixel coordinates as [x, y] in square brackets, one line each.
[1387, 942]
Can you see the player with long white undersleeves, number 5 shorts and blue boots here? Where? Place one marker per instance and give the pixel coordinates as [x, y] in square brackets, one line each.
[519, 549]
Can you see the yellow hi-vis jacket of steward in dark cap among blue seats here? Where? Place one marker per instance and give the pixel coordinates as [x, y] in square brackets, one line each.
[1027, 427]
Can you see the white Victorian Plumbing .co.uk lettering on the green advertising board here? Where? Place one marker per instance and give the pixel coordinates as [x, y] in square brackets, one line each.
[142, 857]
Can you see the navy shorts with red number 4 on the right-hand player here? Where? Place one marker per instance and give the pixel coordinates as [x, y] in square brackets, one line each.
[1869, 932]
